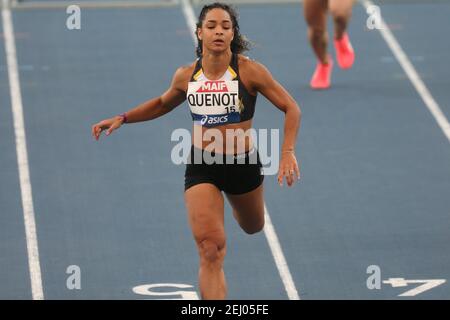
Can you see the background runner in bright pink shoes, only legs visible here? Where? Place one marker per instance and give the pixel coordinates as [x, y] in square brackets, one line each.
[315, 12]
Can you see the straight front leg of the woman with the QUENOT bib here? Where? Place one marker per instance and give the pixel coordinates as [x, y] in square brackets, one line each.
[205, 206]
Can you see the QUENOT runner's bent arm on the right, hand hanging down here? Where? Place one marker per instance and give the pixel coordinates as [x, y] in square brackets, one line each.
[261, 80]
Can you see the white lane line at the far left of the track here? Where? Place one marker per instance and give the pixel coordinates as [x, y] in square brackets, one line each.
[22, 155]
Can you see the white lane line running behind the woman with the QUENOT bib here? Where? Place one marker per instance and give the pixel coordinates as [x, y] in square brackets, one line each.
[269, 230]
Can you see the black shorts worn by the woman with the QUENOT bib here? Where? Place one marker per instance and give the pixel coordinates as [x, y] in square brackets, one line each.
[233, 174]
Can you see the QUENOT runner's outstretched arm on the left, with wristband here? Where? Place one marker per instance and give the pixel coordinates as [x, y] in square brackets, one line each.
[150, 109]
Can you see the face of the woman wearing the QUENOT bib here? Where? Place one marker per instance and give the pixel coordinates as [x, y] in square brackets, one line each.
[216, 31]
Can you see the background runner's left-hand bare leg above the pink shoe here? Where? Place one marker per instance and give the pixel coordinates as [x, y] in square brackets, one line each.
[315, 12]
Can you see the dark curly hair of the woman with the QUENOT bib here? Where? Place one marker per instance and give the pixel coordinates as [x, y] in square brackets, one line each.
[239, 43]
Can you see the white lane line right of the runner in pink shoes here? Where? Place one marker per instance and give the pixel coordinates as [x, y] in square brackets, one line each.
[412, 74]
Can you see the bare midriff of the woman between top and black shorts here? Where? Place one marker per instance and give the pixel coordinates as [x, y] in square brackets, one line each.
[232, 138]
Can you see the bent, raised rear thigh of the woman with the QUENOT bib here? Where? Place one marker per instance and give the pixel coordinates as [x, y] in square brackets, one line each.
[248, 209]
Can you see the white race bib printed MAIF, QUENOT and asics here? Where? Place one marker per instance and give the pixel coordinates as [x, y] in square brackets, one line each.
[214, 103]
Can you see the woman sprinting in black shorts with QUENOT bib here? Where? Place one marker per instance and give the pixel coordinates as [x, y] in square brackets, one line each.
[221, 88]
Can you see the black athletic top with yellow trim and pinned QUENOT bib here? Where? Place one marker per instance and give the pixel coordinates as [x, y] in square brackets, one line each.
[218, 102]
